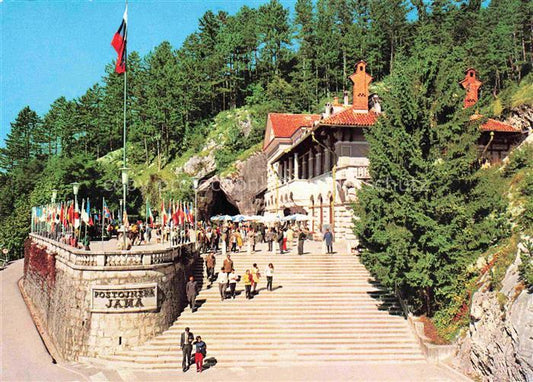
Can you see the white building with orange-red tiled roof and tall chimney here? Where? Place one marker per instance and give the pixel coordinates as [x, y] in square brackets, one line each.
[317, 162]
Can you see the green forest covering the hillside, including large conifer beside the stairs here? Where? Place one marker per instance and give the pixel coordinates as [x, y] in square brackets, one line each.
[274, 59]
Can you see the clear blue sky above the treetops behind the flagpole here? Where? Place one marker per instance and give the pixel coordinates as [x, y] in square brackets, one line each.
[54, 48]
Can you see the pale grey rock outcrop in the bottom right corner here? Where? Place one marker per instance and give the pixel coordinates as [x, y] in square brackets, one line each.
[499, 343]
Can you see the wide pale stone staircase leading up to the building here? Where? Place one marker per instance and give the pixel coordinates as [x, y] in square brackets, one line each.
[324, 309]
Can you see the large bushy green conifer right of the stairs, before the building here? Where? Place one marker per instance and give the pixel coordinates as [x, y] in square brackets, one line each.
[428, 214]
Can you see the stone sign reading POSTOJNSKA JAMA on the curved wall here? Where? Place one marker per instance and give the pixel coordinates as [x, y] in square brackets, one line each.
[124, 298]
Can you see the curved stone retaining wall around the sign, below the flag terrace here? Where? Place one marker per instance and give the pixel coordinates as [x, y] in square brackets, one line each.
[61, 293]
